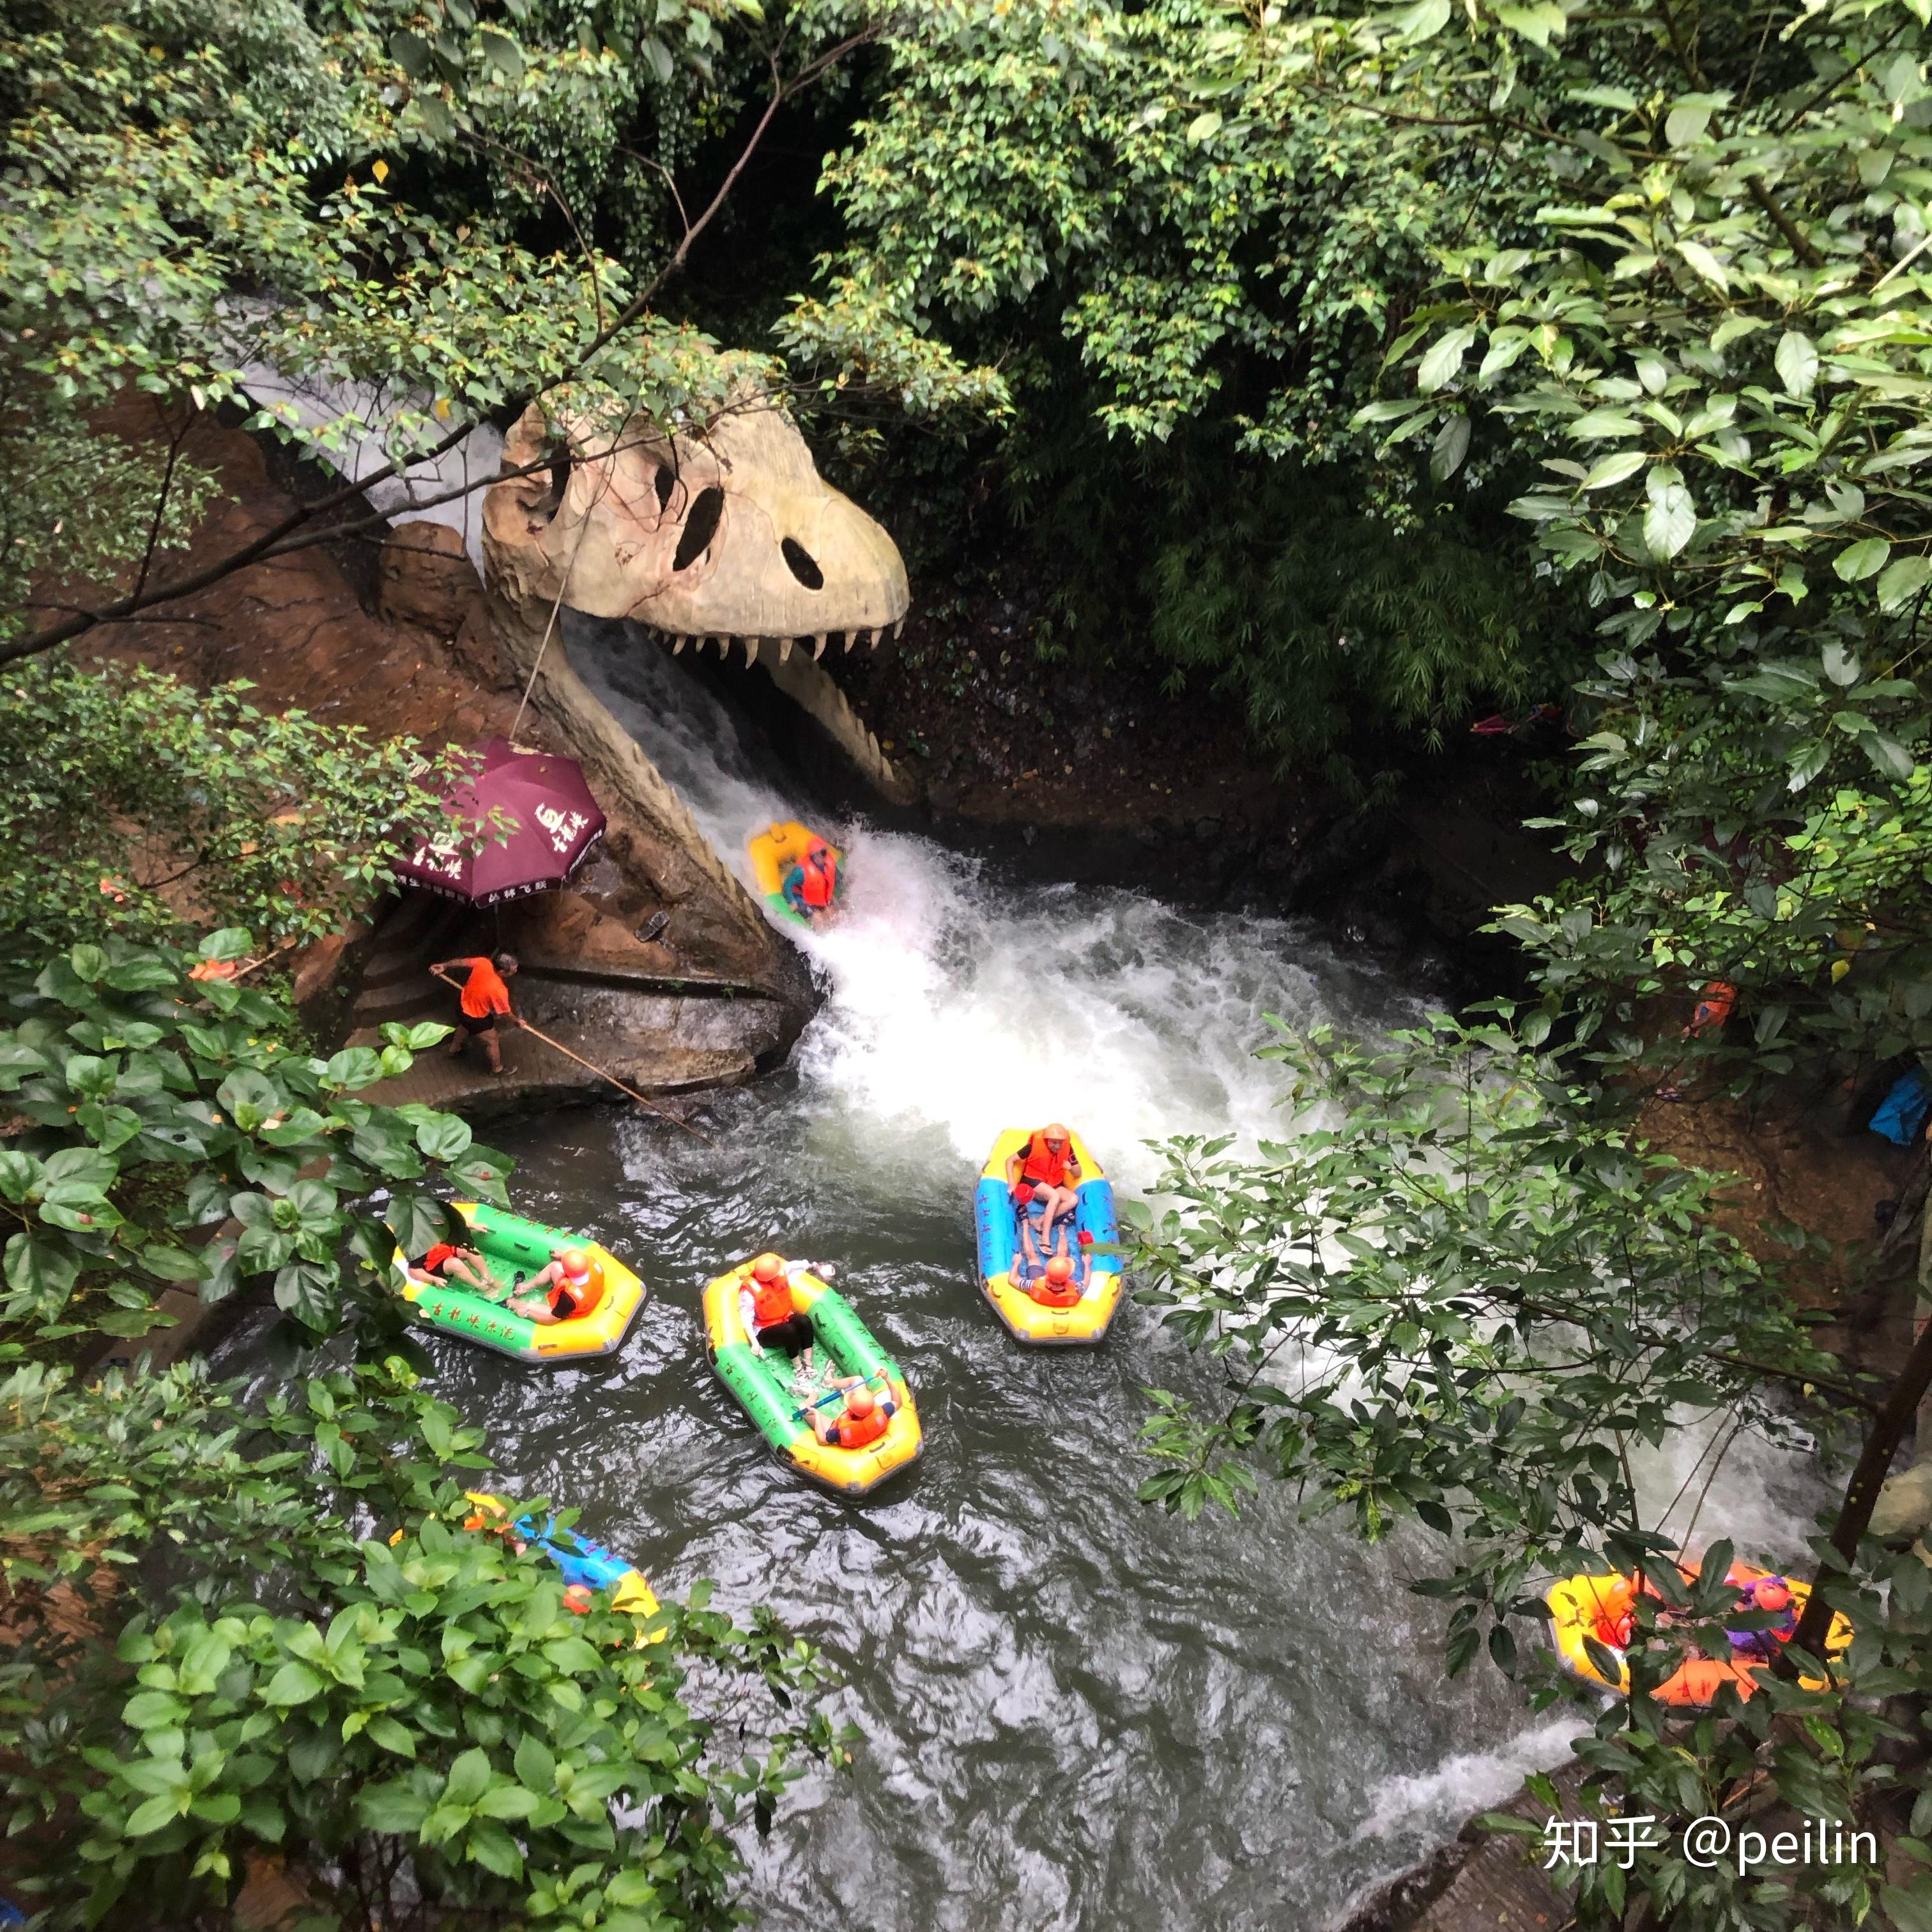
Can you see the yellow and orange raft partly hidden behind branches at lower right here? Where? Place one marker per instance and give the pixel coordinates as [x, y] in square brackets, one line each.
[1603, 1610]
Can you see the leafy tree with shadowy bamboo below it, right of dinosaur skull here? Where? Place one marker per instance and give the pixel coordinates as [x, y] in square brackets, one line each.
[1181, 320]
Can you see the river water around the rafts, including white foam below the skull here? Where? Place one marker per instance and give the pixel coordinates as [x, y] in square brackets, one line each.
[1077, 1713]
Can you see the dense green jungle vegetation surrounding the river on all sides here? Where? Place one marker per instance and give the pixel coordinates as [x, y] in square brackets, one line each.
[1377, 368]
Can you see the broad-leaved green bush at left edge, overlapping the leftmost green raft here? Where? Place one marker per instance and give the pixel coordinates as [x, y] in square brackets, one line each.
[171, 1137]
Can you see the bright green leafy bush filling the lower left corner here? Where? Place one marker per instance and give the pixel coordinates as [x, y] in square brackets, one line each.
[412, 1720]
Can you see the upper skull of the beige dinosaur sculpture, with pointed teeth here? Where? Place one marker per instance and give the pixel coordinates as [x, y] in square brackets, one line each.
[712, 538]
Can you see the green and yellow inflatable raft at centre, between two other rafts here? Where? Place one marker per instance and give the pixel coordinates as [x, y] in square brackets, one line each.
[762, 1384]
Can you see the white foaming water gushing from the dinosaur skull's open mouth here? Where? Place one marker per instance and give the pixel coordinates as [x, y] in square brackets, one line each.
[967, 1004]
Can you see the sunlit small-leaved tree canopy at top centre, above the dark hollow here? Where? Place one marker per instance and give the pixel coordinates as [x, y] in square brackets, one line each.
[1048, 165]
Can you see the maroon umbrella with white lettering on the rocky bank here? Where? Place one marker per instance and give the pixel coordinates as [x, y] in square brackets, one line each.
[555, 824]
